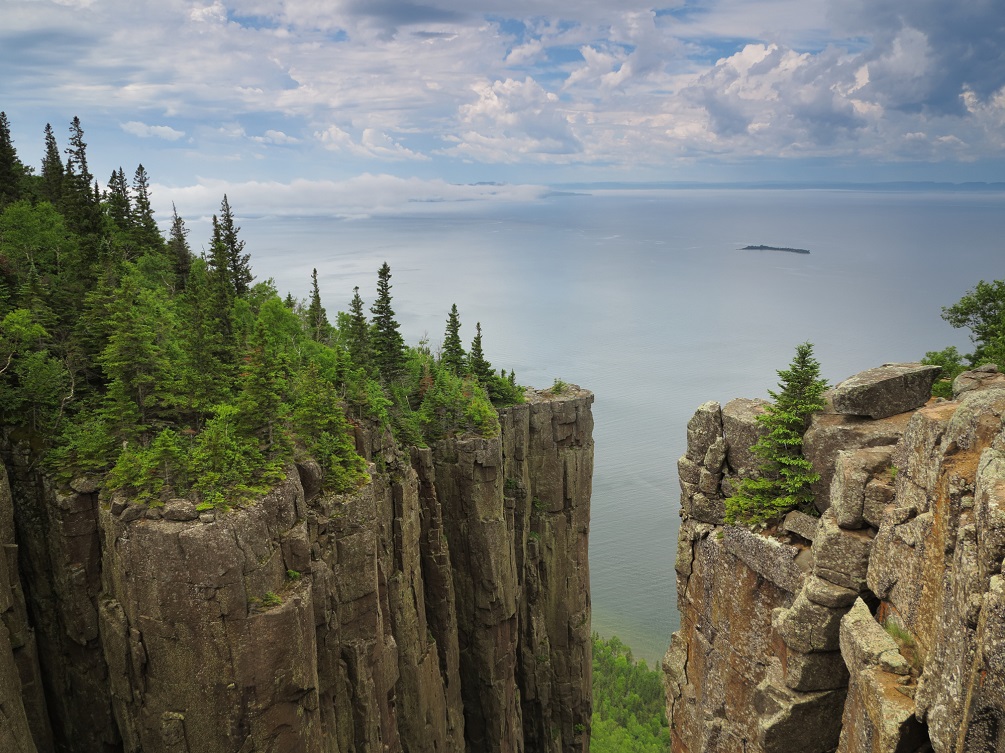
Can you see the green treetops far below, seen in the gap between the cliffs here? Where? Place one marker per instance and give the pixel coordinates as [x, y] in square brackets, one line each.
[630, 703]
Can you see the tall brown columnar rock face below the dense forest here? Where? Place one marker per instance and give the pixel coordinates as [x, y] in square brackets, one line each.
[443, 608]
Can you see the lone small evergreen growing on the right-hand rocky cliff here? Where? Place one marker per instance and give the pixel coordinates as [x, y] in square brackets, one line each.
[785, 476]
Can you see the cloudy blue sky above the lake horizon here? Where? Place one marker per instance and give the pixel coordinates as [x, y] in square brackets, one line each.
[350, 106]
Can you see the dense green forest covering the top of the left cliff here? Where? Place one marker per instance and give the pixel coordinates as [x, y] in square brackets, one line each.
[175, 374]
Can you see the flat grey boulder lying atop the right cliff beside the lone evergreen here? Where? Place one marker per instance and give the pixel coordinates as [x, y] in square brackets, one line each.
[886, 392]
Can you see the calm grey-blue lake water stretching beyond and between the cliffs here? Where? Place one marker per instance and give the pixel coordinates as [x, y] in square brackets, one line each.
[645, 298]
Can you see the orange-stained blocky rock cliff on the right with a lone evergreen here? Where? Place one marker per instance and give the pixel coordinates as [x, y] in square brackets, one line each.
[879, 628]
